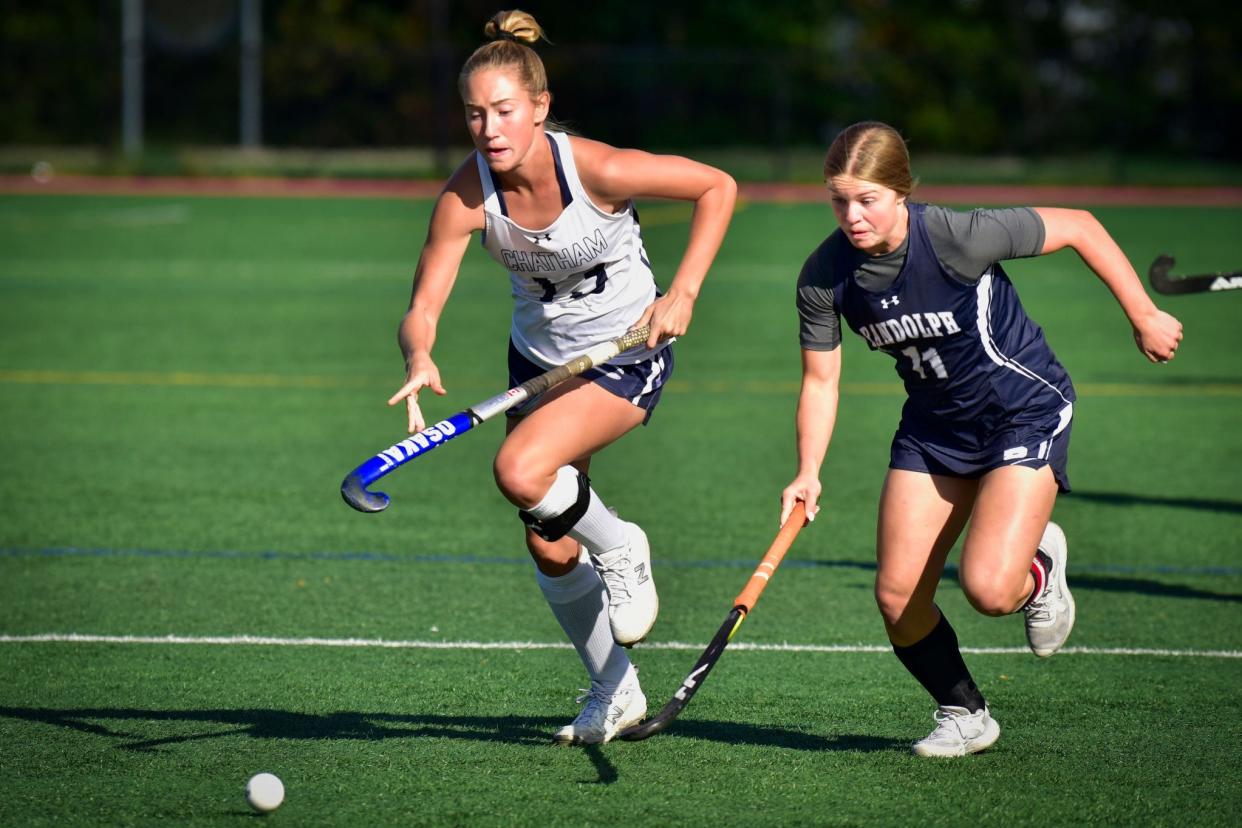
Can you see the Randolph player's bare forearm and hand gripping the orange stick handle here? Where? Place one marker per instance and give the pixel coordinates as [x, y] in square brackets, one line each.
[817, 419]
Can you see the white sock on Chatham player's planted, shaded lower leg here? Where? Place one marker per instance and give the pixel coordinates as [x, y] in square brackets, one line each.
[581, 605]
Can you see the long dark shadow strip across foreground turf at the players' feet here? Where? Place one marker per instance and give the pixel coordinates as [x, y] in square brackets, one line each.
[127, 724]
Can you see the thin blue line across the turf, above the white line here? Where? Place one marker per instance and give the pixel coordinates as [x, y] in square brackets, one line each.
[389, 558]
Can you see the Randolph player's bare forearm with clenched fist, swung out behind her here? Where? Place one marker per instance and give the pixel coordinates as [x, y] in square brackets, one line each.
[1156, 333]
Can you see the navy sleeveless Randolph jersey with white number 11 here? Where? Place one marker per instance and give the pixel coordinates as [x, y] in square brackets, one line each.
[972, 359]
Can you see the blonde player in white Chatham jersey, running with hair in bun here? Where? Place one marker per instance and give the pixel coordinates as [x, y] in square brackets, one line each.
[557, 213]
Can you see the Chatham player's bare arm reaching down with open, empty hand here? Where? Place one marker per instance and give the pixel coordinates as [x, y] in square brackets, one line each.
[453, 223]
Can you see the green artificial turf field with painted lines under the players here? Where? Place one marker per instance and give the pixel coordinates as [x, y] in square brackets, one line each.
[186, 382]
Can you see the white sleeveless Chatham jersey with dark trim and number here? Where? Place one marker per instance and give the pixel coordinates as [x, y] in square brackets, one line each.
[581, 281]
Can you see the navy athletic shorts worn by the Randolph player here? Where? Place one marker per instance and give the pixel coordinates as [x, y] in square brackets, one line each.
[1033, 445]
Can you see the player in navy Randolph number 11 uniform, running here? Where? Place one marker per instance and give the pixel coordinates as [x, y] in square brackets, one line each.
[986, 429]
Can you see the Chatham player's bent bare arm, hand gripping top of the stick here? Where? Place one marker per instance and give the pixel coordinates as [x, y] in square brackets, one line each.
[617, 176]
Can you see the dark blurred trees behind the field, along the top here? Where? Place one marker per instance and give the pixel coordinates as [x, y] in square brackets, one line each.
[963, 76]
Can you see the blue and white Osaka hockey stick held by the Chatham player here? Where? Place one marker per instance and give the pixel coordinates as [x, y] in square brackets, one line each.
[353, 488]
